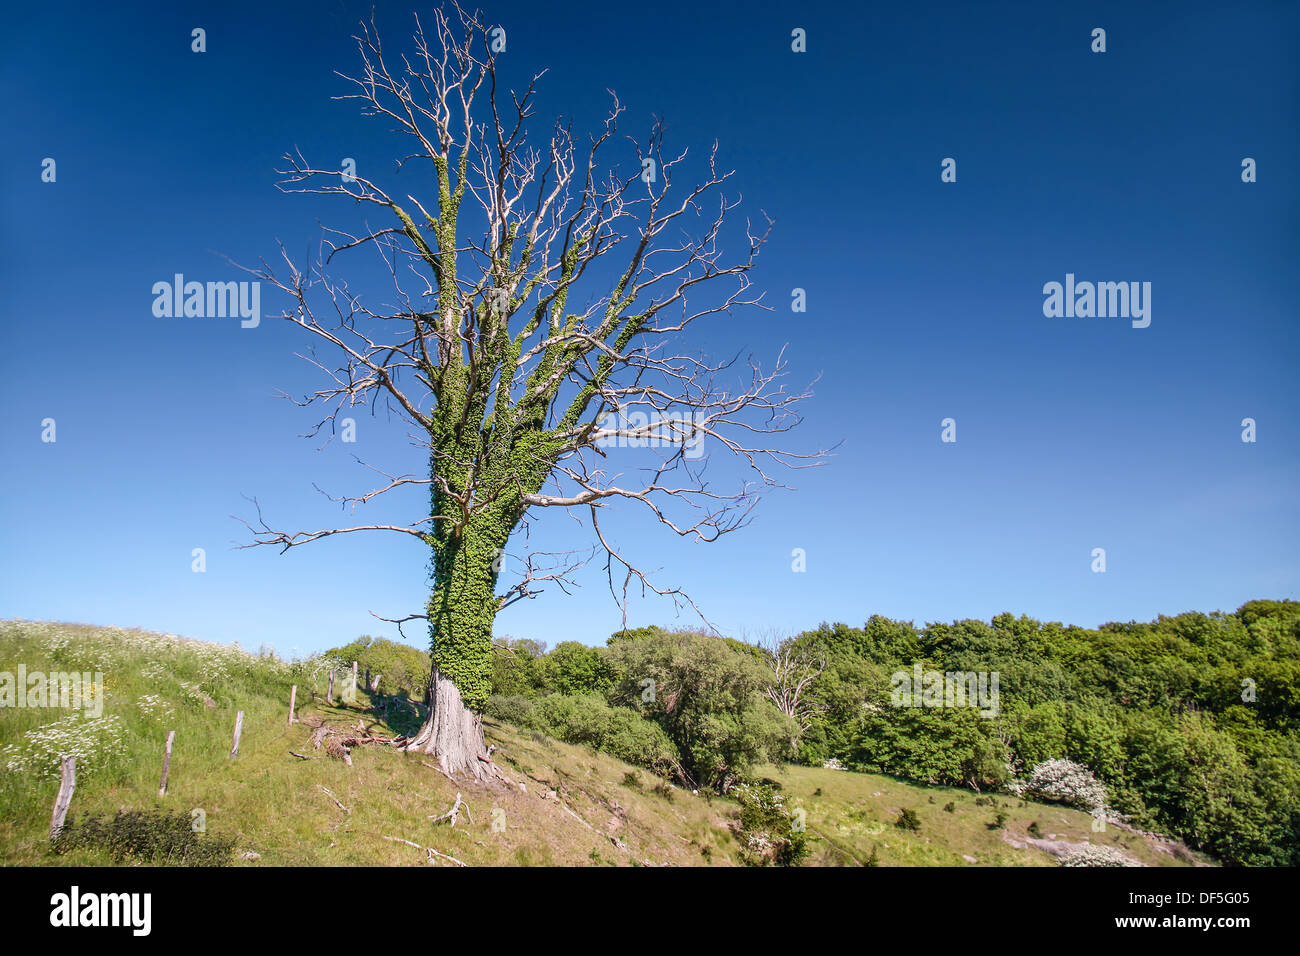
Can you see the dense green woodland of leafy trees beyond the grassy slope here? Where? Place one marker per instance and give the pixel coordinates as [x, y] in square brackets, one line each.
[1190, 723]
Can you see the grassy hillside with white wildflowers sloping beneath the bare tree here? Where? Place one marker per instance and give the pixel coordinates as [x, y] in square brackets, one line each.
[571, 806]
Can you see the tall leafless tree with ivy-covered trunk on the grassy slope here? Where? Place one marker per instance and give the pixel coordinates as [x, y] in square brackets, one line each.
[534, 330]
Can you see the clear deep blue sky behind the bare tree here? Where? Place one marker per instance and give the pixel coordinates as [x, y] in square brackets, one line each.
[925, 301]
